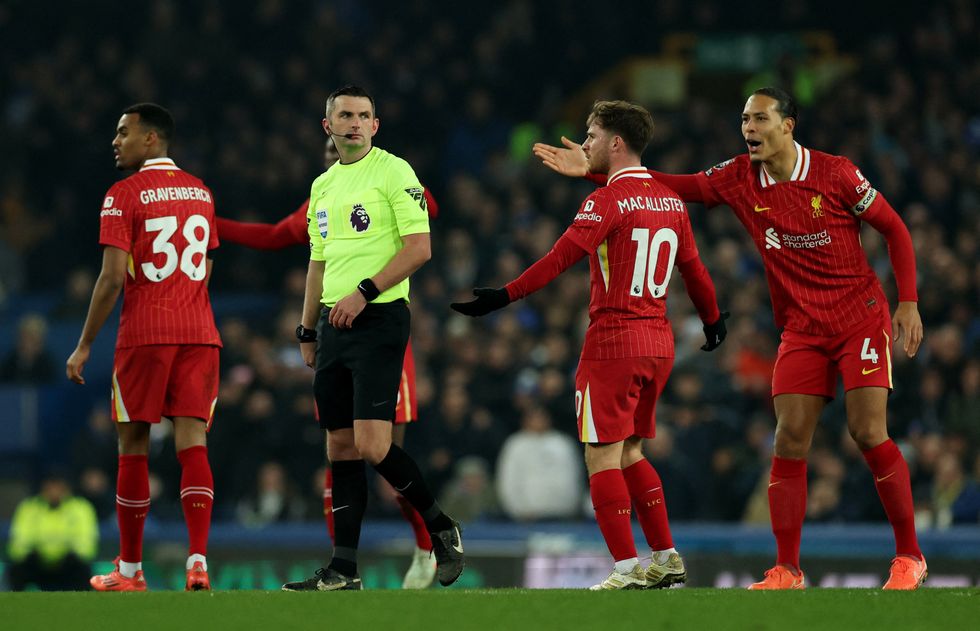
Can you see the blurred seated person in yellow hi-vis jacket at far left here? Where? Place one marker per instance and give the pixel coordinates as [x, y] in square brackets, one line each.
[53, 538]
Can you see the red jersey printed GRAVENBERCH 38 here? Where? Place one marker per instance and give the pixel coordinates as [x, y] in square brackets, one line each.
[164, 218]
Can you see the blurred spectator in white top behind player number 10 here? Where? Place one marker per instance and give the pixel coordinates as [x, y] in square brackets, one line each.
[539, 474]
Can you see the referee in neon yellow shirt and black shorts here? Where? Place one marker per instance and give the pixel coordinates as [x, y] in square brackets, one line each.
[369, 228]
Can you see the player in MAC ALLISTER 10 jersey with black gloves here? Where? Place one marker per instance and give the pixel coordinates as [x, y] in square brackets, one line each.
[633, 231]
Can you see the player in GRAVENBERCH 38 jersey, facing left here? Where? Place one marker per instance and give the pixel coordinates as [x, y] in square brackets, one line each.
[157, 226]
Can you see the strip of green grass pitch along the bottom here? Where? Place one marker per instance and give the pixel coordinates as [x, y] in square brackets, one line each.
[573, 610]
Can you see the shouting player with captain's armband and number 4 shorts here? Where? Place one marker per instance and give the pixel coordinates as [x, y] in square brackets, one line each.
[803, 210]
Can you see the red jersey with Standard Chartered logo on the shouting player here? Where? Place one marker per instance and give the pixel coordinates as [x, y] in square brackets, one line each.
[809, 235]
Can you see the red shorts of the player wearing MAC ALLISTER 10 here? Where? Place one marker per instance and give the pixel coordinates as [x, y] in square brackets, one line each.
[617, 398]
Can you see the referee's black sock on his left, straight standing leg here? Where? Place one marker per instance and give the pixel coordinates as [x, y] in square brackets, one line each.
[349, 502]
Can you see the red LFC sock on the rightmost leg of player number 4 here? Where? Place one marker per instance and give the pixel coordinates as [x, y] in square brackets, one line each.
[895, 490]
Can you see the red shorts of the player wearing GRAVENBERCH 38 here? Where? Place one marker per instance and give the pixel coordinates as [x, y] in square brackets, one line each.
[164, 380]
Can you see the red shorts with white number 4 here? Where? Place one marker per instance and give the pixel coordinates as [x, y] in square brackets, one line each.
[810, 364]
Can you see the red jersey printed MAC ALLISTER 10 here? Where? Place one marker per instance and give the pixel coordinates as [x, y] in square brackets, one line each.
[634, 229]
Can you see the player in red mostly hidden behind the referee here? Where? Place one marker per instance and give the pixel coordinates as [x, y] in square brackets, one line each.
[292, 230]
